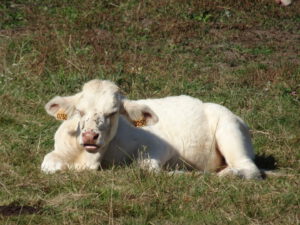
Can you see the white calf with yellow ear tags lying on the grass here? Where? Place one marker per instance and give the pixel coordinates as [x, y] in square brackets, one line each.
[204, 136]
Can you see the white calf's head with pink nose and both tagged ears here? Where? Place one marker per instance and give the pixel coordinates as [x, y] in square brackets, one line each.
[98, 108]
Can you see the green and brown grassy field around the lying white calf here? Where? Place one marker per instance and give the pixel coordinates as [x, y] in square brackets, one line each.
[242, 54]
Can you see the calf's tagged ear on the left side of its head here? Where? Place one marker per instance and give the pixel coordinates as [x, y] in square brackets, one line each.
[62, 108]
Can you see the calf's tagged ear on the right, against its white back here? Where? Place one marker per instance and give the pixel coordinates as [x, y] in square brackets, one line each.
[138, 114]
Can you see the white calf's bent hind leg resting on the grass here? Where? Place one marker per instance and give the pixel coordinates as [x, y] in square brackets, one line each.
[234, 142]
